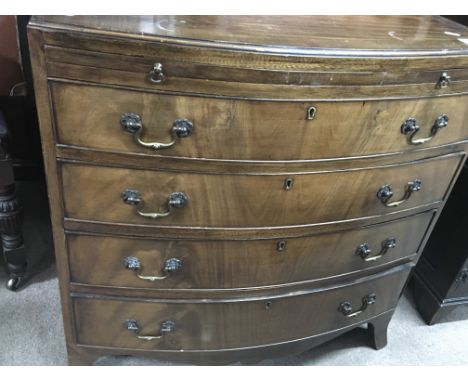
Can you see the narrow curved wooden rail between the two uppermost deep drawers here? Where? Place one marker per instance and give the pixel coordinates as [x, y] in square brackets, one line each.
[214, 166]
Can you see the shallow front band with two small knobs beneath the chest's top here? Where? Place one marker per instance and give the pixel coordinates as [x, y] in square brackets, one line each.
[225, 72]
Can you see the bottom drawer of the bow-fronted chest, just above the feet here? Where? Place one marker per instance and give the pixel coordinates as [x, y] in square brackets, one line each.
[209, 324]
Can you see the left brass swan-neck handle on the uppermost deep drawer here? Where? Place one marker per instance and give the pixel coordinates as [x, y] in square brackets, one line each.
[133, 123]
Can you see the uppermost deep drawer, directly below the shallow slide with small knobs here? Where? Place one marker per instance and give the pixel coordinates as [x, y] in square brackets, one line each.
[247, 130]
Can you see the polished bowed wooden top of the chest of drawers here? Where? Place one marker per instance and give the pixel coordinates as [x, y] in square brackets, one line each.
[297, 35]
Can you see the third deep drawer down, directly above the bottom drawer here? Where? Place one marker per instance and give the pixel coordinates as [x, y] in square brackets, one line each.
[225, 264]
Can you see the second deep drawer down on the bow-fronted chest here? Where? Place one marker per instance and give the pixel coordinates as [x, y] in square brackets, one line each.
[119, 195]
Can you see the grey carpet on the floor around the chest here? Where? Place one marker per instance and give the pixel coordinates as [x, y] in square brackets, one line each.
[31, 329]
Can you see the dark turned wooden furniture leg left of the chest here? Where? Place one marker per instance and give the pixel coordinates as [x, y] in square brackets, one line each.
[11, 216]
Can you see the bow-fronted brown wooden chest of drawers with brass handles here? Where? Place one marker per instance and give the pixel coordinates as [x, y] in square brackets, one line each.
[228, 189]
